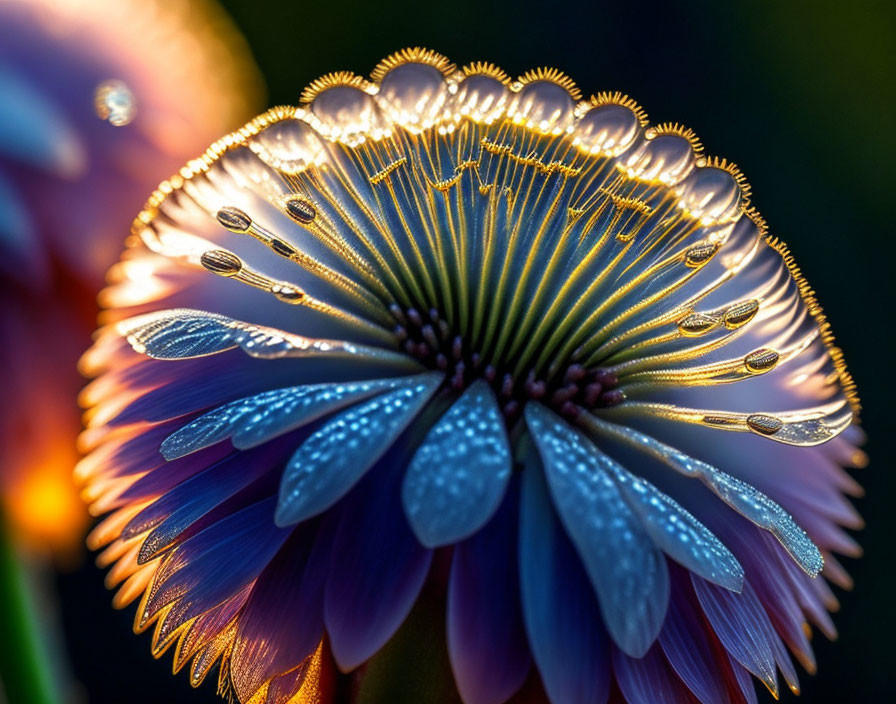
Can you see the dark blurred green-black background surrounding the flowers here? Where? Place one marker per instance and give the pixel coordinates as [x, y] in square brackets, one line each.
[801, 95]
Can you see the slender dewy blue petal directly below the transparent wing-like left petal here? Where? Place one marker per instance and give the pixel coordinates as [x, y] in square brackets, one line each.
[256, 419]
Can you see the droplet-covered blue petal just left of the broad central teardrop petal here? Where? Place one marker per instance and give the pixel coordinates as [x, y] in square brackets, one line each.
[336, 456]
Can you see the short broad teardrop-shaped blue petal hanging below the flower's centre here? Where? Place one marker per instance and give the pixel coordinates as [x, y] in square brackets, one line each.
[459, 474]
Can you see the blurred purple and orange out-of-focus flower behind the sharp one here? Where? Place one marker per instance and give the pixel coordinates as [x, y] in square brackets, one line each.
[176, 74]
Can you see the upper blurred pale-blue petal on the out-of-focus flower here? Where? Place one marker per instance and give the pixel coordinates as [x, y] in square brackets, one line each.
[35, 131]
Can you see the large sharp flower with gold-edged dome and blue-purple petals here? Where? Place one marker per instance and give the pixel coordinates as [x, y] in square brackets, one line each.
[446, 318]
